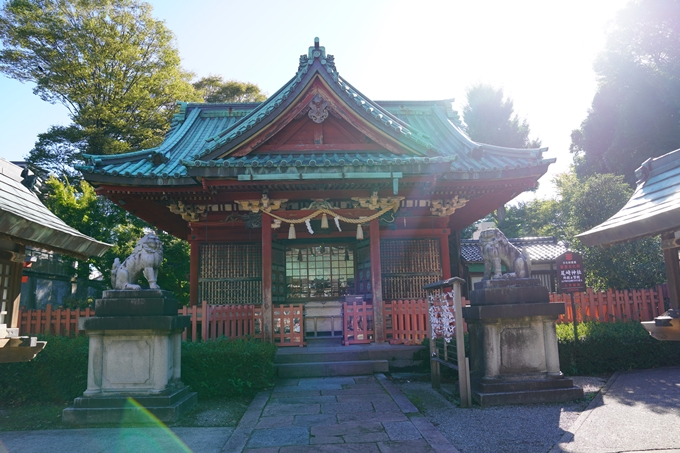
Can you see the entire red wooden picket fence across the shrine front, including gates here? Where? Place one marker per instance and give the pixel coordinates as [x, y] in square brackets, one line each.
[405, 320]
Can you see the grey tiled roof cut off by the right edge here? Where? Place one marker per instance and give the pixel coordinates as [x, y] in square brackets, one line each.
[653, 209]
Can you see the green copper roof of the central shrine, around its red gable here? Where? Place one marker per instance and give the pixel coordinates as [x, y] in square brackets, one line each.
[201, 133]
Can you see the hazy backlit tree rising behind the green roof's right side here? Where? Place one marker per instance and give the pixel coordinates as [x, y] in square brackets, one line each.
[489, 118]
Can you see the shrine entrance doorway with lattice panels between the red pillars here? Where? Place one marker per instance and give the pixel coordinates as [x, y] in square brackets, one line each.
[321, 275]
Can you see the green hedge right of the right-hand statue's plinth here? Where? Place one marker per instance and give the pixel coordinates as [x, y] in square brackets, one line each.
[608, 347]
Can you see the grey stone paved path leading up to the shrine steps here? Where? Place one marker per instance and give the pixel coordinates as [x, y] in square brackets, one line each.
[340, 414]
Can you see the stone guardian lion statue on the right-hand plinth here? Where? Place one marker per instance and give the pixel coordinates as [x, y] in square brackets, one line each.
[496, 250]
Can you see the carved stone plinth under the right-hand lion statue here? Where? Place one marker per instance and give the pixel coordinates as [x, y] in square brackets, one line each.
[513, 344]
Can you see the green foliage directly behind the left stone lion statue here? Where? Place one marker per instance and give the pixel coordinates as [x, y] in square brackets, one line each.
[79, 206]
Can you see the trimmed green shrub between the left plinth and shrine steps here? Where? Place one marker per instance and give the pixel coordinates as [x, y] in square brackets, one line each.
[225, 367]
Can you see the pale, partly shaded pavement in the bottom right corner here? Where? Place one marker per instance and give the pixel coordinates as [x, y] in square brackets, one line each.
[635, 411]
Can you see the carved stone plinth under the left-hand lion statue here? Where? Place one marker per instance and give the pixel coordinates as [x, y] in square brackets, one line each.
[134, 361]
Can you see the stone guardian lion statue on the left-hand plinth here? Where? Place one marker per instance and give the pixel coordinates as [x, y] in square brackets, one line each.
[145, 258]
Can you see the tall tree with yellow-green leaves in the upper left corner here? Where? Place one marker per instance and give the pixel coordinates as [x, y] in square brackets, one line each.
[111, 64]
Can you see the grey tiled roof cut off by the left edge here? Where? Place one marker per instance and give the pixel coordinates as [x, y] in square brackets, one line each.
[26, 220]
